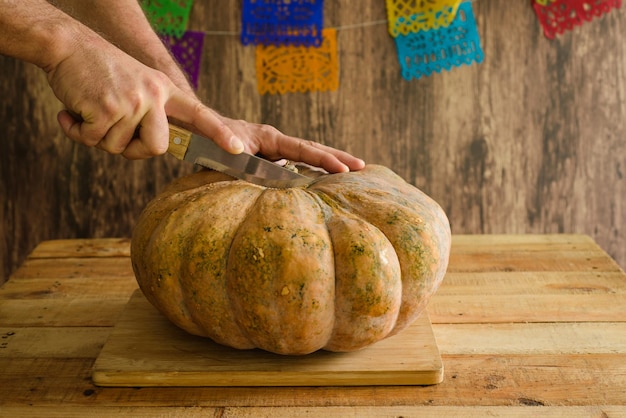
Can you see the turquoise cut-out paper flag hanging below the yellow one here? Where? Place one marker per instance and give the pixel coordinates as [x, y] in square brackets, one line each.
[434, 50]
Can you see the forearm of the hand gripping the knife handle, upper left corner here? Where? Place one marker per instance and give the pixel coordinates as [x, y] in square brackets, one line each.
[36, 32]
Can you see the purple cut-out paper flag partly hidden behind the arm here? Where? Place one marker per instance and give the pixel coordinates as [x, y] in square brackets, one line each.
[187, 50]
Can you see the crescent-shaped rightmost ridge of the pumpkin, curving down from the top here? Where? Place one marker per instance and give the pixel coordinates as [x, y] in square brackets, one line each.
[358, 194]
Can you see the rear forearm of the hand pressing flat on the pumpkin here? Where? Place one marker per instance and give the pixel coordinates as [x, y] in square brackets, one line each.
[123, 23]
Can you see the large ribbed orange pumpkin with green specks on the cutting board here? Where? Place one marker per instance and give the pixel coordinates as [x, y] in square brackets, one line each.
[337, 265]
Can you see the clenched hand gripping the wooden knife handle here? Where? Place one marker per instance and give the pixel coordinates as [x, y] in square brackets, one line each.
[108, 95]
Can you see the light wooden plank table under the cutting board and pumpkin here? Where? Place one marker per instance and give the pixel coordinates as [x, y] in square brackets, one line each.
[526, 325]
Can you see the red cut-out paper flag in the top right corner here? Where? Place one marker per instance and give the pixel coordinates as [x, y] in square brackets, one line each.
[558, 16]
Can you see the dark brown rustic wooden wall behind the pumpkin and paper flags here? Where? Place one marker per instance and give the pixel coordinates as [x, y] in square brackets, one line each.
[531, 140]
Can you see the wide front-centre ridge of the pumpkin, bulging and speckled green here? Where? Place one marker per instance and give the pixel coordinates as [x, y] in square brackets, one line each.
[282, 269]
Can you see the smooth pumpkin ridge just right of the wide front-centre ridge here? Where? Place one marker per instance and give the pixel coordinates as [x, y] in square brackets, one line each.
[366, 305]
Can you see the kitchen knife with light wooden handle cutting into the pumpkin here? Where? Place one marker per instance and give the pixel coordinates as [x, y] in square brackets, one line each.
[197, 149]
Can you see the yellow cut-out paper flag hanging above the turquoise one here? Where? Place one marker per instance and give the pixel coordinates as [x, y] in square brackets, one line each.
[412, 16]
